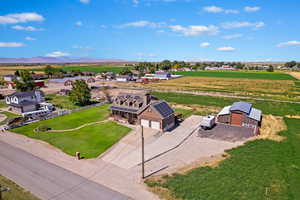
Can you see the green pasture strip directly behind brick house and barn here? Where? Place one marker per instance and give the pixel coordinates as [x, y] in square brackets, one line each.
[268, 107]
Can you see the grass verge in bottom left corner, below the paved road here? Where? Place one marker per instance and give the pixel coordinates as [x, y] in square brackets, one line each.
[16, 193]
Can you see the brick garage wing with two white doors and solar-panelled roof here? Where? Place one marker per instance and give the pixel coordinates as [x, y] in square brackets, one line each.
[158, 115]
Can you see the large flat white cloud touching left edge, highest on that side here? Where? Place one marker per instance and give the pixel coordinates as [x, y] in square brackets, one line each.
[21, 18]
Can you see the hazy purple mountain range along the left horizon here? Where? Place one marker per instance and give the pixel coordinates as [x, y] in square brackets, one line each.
[57, 60]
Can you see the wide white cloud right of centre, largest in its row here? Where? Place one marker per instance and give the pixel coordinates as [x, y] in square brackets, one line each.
[195, 30]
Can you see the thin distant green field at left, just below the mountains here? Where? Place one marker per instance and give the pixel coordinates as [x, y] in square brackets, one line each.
[96, 69]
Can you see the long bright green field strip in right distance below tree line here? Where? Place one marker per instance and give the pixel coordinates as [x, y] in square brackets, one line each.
[239, 74]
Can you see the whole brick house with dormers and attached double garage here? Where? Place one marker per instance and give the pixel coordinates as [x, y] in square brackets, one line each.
[144, 110]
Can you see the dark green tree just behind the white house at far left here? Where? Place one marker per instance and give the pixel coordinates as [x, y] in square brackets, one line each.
[26, 82]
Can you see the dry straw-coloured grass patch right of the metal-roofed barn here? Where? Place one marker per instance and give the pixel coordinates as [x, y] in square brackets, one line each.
[271, 126]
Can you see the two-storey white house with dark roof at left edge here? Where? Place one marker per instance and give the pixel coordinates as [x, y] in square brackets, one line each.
[22, 102]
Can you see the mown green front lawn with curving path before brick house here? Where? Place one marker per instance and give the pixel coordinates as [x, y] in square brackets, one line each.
[90, 141]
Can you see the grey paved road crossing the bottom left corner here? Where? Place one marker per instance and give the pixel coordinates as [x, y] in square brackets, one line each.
[49, 181]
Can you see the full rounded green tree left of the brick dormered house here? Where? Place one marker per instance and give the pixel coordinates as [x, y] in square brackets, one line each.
[80, 93]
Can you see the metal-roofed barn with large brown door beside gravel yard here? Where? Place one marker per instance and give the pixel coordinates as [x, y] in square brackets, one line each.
[240, 114]
